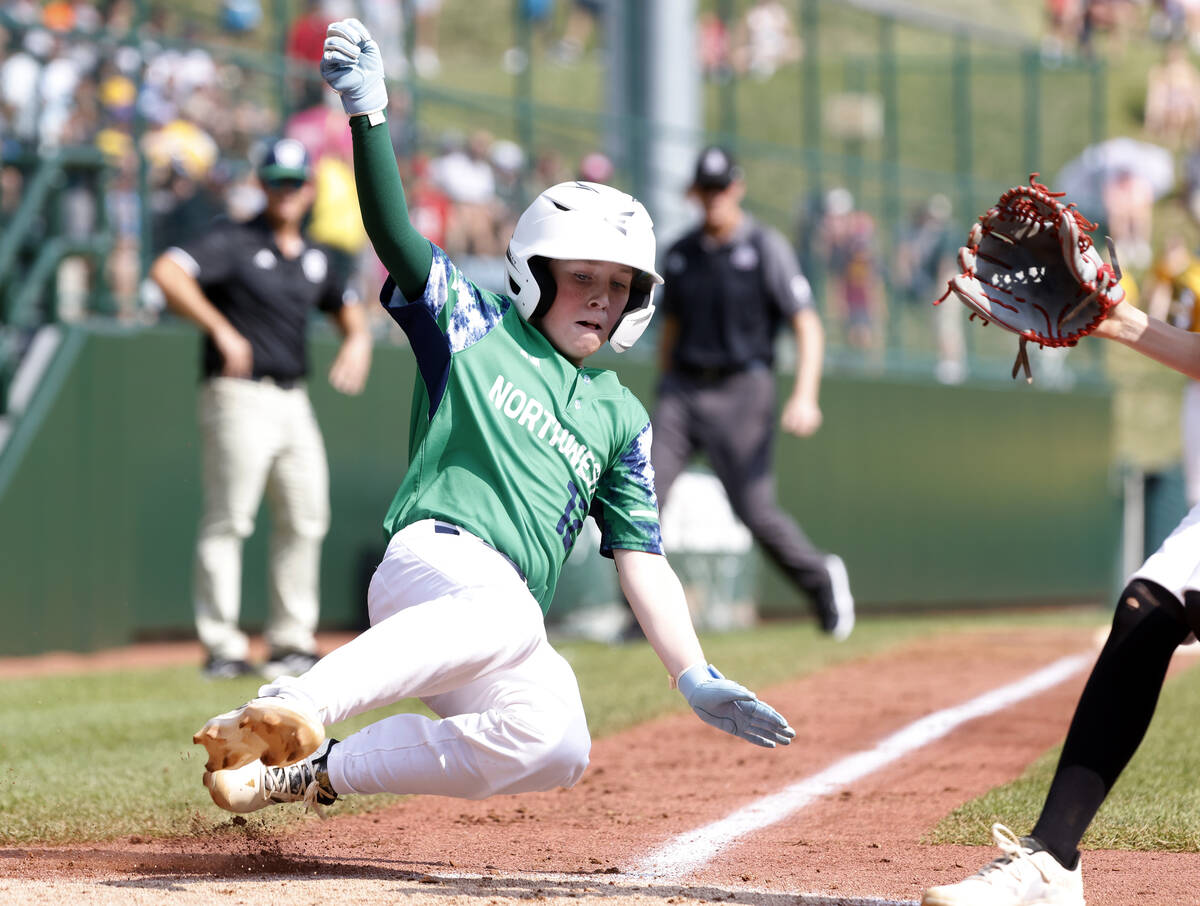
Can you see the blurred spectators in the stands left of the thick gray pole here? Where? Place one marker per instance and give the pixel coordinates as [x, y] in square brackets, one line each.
[182, 127]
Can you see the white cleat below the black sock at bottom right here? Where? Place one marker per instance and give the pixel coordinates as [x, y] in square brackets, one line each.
[1027, 875]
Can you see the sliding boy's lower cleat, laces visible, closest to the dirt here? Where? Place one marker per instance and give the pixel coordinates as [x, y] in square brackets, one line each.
[255, 787]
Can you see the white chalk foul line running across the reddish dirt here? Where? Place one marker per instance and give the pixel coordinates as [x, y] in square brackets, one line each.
[689, 853]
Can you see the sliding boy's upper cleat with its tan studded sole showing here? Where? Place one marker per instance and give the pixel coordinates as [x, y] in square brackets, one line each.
[272, 730]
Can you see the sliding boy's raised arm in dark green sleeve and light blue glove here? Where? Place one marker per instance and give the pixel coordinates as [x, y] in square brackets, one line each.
[353, 67]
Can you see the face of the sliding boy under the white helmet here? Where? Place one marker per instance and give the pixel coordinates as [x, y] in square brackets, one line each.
[591, 297]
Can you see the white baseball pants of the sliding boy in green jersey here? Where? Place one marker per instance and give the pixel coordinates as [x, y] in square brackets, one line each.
[455, 626]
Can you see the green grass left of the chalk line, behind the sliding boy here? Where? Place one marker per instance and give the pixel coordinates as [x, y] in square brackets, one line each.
[106, 755]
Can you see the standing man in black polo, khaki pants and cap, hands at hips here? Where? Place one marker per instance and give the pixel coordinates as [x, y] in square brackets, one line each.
[251, 289]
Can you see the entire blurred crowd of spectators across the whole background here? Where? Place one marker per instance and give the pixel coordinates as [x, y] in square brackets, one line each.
[178, 115]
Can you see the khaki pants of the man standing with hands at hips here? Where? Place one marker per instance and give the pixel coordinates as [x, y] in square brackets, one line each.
[259, 437]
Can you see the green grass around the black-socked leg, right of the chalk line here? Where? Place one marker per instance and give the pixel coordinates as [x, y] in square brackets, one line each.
[1155, 806]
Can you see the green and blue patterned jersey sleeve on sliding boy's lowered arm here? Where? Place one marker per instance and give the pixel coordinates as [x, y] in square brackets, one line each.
[625, 506]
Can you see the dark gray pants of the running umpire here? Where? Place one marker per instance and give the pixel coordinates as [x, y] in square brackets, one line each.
[733, 422]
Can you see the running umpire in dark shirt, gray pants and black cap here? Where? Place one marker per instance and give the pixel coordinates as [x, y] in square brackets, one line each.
[731, 285]
